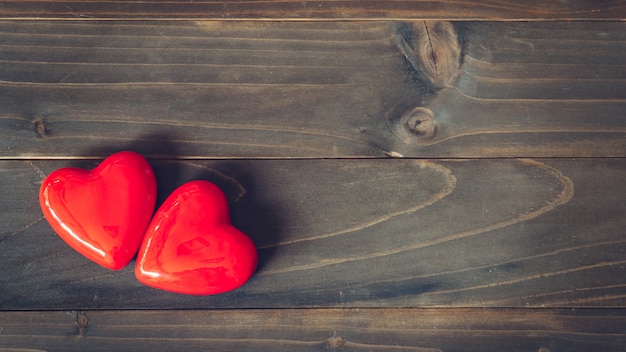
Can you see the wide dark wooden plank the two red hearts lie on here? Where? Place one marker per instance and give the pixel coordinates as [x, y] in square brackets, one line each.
[360, 233]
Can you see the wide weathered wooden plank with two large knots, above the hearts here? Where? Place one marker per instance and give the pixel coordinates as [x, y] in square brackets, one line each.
[214, 89]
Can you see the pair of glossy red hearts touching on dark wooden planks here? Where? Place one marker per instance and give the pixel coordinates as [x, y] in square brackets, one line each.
[189, 245]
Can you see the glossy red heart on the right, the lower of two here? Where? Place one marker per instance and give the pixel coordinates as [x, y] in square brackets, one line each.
[191, 247]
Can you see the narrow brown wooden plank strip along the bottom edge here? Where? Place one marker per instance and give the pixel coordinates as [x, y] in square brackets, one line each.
[417, 330]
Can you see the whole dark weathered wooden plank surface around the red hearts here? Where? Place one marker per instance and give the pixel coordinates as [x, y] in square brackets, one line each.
[417, 175]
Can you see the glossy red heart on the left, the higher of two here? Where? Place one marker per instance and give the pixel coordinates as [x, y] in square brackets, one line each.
[102, 213]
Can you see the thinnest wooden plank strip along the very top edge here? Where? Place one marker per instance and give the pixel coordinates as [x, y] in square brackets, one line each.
[324, 9]
